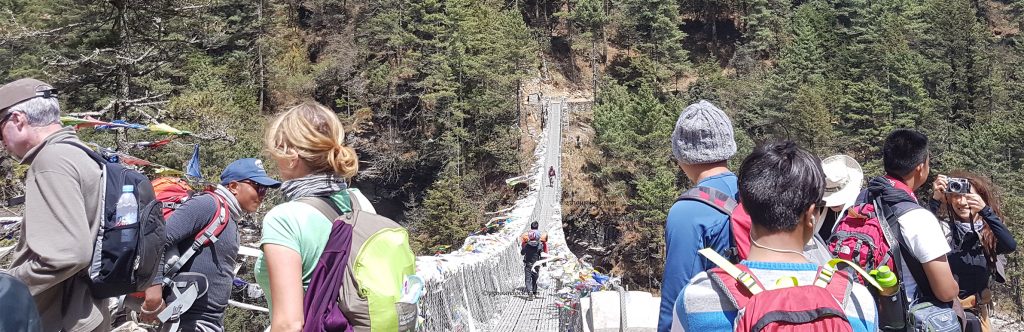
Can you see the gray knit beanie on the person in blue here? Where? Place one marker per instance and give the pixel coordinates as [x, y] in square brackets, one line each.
[703, 135]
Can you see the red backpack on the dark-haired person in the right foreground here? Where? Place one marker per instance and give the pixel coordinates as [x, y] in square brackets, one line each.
[809, 308]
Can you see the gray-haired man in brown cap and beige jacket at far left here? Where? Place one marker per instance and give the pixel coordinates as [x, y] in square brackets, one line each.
[63, 213]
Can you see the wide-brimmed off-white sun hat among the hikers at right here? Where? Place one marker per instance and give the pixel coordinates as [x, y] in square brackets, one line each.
[843, 180]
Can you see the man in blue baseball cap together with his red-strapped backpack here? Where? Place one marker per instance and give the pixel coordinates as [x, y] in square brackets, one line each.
[243, 186]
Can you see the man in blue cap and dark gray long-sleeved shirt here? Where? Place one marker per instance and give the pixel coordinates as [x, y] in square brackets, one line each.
[243, 187]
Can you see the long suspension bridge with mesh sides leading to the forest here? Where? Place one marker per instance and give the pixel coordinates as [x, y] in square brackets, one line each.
[483, 290]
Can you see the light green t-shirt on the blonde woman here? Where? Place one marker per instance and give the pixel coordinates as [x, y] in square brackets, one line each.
[302, 228]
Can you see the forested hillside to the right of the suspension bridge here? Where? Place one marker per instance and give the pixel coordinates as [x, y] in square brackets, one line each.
[836, 76]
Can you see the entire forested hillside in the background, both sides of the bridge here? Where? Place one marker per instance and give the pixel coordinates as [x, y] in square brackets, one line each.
[431, 91]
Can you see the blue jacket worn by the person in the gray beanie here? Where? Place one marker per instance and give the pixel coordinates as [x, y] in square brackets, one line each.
[691, 227]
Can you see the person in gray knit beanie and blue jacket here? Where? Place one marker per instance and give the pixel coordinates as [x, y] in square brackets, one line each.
[702, 145]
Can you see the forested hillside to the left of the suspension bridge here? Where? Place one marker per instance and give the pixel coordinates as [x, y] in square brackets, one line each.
[429, 89]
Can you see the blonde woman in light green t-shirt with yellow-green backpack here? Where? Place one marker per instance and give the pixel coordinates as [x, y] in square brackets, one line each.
[324, 228]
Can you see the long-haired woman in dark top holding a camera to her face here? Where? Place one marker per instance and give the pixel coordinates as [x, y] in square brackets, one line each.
[969, 205]
